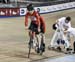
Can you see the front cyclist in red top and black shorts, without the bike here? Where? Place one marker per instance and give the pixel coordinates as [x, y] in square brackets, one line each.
[35, 22]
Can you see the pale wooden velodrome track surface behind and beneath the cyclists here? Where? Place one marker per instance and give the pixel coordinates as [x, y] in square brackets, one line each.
[14, 38]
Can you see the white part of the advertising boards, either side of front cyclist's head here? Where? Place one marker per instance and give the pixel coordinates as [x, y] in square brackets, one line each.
[53, 8]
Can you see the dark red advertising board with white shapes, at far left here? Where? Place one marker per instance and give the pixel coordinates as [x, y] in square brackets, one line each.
[9, 12]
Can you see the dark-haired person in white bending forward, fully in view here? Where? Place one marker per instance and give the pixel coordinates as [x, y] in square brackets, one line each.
[61, 24]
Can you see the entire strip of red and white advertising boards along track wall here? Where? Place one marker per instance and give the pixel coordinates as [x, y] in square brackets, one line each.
[42, 9]
